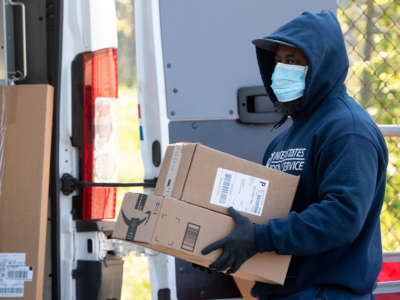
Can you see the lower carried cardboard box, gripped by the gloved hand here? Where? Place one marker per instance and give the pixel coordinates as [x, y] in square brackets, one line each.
[181, 229]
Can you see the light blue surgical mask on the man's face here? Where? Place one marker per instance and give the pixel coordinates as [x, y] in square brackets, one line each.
[288, 81]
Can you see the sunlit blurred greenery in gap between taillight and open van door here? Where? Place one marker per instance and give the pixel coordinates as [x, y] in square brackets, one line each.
[136, 283]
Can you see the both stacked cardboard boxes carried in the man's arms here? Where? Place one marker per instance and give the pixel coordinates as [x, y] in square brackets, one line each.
[189, 209]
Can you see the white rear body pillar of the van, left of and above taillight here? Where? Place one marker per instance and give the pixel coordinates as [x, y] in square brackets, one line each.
[88, 25]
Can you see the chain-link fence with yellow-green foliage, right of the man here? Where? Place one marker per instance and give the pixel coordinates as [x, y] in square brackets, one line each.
[371, 29]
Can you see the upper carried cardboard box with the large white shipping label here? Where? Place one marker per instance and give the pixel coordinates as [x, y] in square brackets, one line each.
[216, 180]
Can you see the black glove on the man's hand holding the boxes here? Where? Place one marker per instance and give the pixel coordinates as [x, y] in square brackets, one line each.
[238, 247]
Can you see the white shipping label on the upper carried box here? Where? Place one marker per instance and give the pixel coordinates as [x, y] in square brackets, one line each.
[243, 192]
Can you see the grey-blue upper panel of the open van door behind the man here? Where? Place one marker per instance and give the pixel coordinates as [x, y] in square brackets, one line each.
[208, 54]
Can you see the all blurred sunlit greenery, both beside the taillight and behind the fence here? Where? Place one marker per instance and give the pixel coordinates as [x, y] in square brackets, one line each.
[372, 33]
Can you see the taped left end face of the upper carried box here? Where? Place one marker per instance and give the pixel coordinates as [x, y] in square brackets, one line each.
[174, 169]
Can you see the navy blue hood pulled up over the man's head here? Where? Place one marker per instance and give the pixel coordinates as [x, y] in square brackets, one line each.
[320, 38]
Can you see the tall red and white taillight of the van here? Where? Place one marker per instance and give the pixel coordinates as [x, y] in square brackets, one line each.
[100, 90]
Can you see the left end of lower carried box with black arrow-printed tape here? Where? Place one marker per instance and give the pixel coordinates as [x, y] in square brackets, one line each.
[138, 217]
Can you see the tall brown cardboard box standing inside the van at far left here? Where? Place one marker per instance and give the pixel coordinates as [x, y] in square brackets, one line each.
[25, 183]
